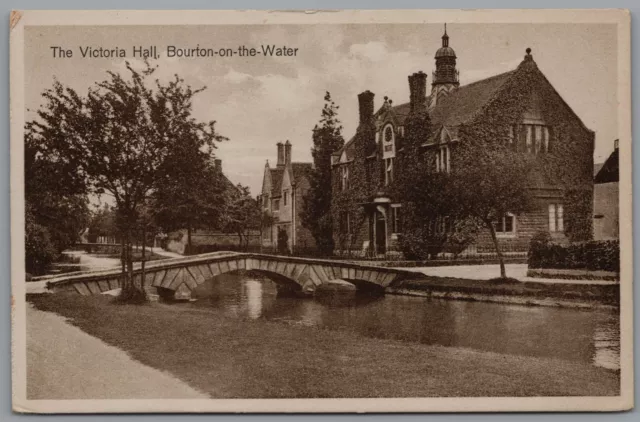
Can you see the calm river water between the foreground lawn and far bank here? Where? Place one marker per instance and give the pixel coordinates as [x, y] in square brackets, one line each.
[576, 335]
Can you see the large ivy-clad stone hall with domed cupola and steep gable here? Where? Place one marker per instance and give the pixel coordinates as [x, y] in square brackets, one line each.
[520, 106]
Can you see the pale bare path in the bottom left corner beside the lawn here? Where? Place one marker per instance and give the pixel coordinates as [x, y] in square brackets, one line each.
[64, 362]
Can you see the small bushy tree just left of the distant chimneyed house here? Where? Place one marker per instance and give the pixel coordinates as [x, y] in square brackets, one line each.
[242, 214]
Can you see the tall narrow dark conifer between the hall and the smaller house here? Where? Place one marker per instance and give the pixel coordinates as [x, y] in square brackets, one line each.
[316, 210]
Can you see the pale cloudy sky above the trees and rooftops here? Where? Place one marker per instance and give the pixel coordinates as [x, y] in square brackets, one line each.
[259, 101]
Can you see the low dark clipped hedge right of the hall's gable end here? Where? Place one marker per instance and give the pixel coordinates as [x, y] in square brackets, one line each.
[592, 255]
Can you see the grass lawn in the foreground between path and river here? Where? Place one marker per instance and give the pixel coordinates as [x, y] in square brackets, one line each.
[228, 358]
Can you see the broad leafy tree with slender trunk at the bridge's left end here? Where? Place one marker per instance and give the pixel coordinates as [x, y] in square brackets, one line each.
[117, 137]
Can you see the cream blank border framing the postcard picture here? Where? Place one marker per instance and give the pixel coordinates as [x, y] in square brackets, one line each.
[466, 404]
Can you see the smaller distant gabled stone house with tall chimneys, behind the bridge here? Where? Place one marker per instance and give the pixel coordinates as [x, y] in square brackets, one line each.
[283, 190]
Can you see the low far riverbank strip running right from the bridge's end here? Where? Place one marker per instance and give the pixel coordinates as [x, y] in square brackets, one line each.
[565, 294]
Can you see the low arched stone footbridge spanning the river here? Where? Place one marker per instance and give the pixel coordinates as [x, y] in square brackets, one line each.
[179, 276]
